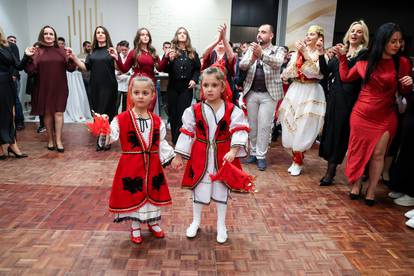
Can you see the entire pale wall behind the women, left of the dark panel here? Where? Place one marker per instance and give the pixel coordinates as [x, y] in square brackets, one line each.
[25, 18]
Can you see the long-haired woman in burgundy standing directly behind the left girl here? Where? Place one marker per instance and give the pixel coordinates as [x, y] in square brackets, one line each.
[144, 59]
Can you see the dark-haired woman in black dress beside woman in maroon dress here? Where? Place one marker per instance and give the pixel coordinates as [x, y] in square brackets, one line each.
[103, 87]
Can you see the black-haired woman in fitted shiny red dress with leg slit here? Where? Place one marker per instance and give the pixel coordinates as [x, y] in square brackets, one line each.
[373, 119]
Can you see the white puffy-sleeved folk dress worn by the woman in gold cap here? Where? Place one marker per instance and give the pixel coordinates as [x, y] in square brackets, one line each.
[302, 111]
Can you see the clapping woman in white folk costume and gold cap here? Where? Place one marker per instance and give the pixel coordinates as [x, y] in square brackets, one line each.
[303, 109]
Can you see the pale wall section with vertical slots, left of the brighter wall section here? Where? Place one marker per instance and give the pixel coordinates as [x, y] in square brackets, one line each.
[119, 17]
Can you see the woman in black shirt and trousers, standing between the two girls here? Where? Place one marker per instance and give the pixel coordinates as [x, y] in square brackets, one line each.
[183, 72]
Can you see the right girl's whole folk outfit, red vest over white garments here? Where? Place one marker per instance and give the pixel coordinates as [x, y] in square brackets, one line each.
[206, 136]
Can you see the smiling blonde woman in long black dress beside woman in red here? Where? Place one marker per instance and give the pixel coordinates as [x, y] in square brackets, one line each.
[340, 101]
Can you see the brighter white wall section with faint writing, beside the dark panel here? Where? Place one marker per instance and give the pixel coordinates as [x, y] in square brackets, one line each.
[200, 18]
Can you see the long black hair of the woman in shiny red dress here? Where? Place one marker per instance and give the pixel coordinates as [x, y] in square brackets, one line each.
[377, 48]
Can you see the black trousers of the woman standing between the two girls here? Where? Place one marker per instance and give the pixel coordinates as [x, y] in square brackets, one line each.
[177, 102]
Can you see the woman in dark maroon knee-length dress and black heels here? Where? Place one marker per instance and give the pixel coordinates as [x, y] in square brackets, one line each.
[49, 98]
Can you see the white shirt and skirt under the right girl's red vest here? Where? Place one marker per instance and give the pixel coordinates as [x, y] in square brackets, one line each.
[206, 189]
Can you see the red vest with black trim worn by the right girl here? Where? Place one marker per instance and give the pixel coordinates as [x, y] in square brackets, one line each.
[197, 164]
